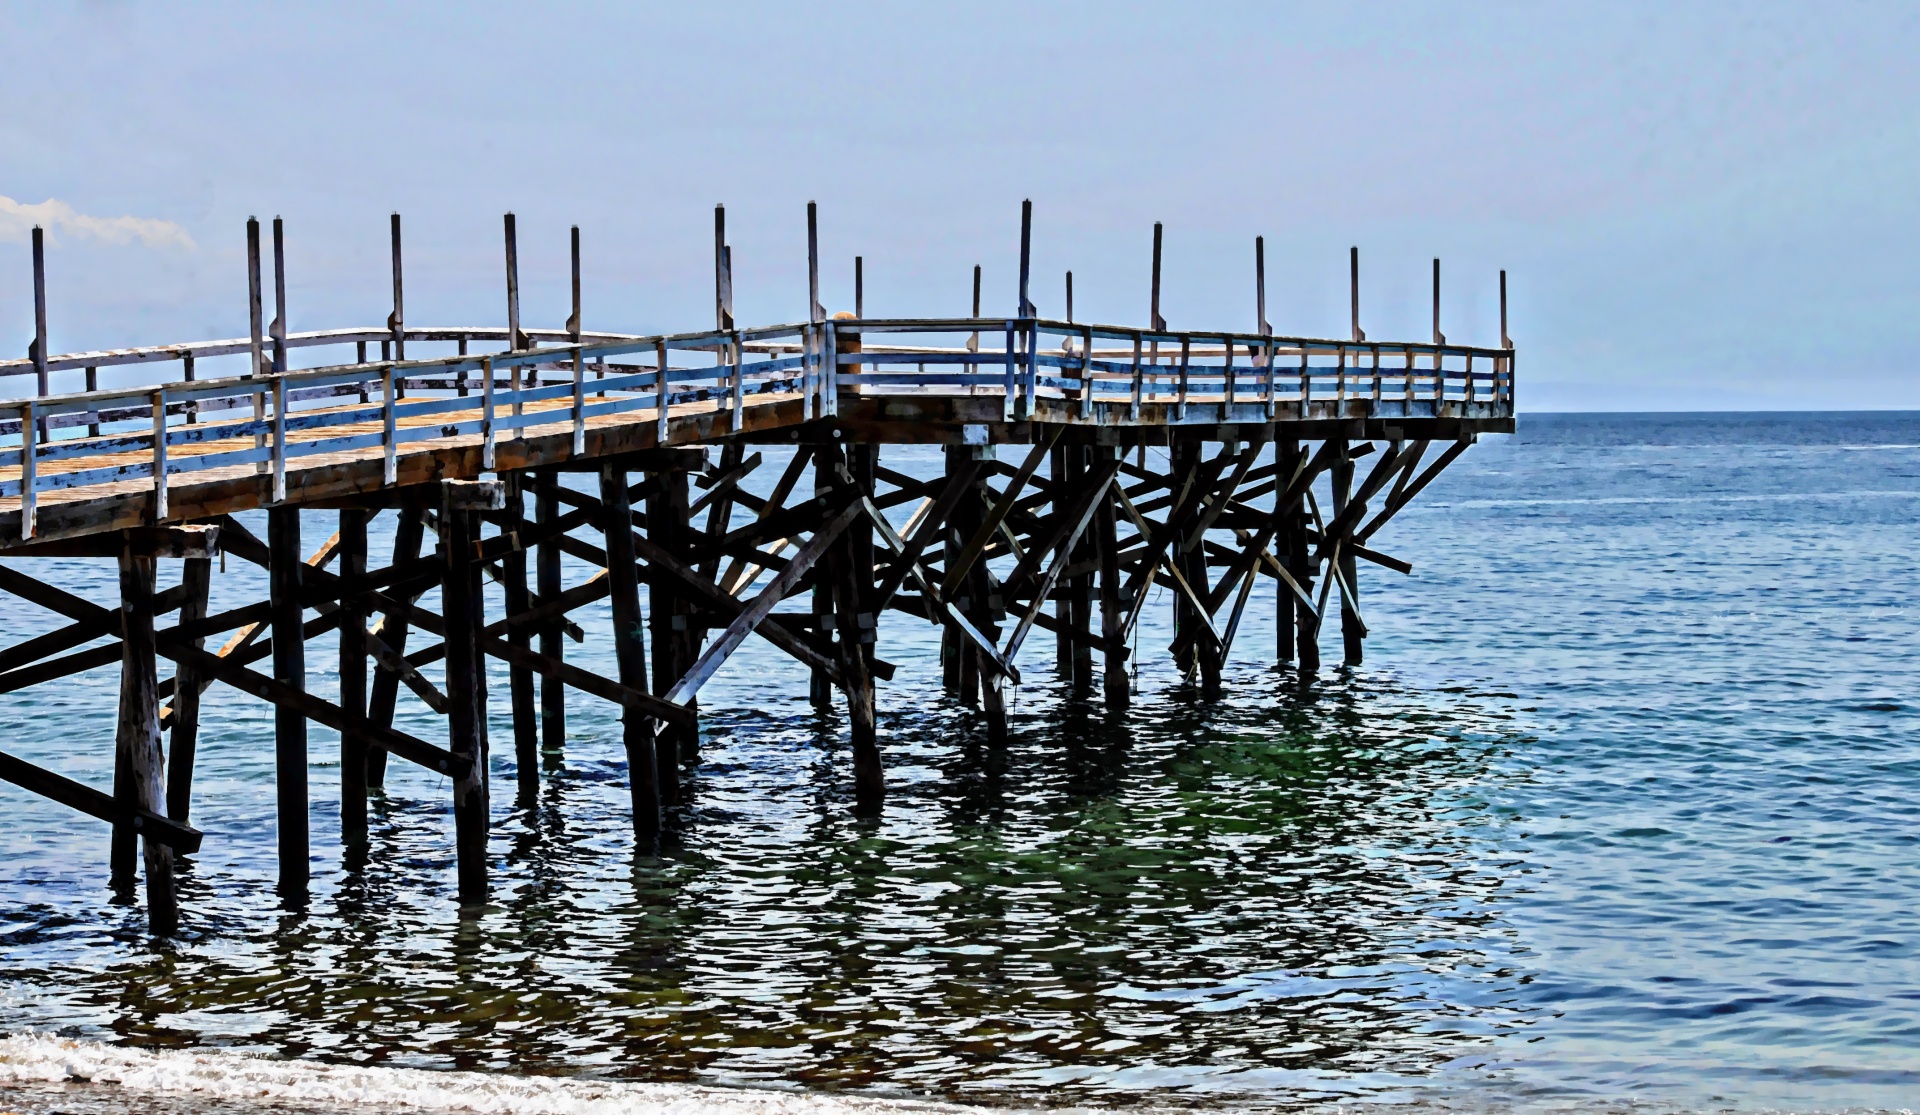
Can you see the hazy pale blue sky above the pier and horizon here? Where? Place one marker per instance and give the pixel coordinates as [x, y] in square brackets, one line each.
[1706, 206]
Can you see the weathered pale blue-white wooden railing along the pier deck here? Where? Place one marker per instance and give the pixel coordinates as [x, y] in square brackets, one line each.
[268, 419]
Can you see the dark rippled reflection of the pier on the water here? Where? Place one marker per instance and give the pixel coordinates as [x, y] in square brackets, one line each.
[1278, 895]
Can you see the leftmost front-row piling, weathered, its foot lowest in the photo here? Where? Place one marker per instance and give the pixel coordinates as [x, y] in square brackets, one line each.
[139, 732]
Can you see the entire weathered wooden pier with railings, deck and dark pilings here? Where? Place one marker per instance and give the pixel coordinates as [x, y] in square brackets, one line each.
[1045, 519]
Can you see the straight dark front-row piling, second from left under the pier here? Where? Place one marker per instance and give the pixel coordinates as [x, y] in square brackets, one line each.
[285, 575]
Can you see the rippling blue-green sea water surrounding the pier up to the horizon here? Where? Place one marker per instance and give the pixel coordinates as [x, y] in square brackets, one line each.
[1621, 815]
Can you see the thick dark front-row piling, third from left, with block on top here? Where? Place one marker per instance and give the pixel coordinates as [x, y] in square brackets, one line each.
[464, 613]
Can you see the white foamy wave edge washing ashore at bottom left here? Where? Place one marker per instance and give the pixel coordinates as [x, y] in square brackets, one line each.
[39, 1060]
